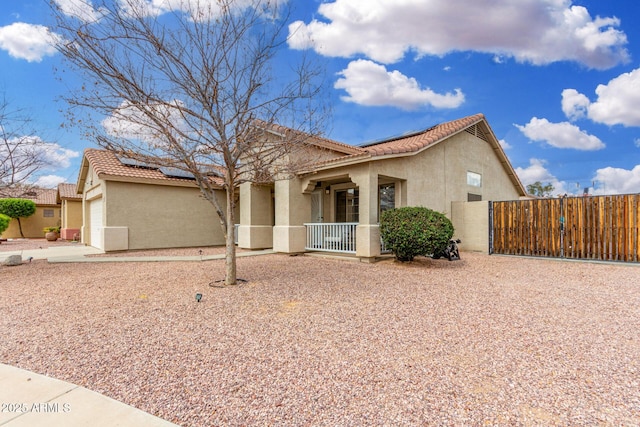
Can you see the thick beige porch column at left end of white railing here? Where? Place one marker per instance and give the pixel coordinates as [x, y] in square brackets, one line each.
[293, 209]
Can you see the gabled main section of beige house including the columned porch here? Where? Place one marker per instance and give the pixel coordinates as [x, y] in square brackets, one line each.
[335, 205]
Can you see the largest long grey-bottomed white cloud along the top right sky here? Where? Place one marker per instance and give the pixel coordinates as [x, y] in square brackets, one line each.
[534, 31]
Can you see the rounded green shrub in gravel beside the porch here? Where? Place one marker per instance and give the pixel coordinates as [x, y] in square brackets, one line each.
[412, 231]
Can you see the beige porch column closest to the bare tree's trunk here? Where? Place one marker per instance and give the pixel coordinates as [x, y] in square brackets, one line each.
[256, 218]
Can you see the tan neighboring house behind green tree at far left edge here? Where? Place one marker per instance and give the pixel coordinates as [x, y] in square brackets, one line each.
[47, 214]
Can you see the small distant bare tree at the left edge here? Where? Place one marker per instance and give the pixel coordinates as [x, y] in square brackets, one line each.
[22, 152]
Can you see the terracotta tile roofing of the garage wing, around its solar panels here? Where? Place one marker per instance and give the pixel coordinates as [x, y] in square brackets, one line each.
[105, 163]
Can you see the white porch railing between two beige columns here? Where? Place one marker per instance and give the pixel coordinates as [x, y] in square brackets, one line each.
[331, 237]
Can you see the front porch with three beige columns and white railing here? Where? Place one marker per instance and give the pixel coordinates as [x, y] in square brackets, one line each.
[335, 213]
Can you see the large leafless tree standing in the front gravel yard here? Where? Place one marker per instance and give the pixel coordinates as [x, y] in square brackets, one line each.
[197, 89]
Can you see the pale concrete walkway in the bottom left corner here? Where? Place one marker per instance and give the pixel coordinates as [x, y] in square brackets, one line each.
[30, 399]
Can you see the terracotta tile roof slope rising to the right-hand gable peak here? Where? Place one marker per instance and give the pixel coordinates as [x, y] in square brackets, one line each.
[420, 140]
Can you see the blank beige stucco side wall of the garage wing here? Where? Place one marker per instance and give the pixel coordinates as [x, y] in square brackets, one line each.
[160, 216]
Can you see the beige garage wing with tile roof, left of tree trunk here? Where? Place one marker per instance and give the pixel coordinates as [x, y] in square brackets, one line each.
[127, 205]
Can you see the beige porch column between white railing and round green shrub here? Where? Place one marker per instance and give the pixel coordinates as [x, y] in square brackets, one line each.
[368, 229]
